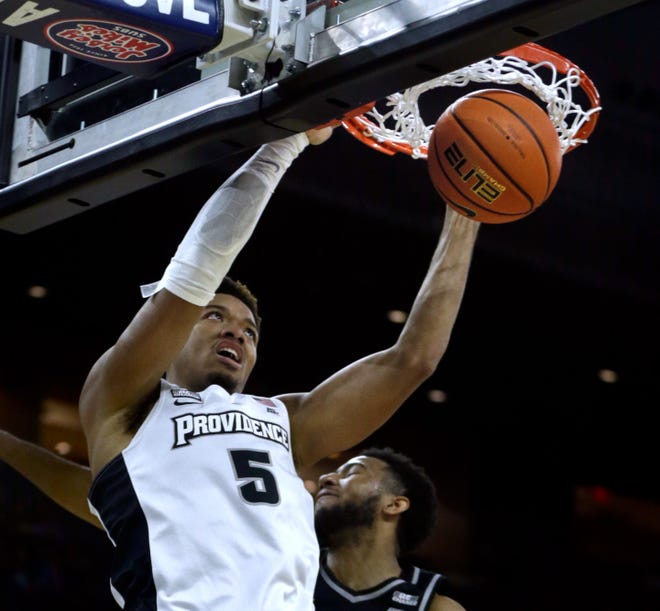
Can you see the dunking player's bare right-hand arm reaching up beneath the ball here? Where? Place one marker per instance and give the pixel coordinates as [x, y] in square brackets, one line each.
[350, 405]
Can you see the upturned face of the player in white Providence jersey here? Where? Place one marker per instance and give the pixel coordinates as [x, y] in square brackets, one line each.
[221, 349]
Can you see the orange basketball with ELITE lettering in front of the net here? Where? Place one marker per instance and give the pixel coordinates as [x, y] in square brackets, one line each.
[494, 156]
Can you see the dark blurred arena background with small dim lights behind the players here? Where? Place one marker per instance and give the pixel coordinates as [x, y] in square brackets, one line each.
[539, 425]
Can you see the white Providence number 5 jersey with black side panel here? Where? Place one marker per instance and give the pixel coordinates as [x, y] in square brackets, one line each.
[206, 509]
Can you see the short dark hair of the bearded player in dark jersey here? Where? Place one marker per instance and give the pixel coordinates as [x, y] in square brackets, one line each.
[409, 480]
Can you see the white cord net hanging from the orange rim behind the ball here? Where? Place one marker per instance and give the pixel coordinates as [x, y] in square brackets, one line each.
[403, 125]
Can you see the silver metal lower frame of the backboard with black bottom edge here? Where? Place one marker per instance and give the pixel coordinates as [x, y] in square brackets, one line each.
[223, 113]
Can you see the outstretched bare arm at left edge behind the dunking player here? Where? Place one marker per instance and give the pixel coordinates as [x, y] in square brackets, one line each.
[63, 481]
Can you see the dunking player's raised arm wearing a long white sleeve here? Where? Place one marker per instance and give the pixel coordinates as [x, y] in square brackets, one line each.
[123, 381]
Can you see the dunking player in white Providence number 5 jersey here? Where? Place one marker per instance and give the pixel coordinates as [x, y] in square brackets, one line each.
[195, 482]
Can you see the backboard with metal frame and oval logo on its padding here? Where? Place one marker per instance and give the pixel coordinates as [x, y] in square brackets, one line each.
[83, 122]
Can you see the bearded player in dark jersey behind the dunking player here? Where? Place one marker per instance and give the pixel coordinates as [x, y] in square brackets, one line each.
[369, 513]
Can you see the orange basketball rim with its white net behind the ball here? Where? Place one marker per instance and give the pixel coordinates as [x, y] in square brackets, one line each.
[401, 129]
